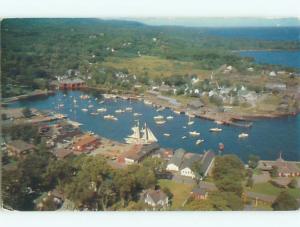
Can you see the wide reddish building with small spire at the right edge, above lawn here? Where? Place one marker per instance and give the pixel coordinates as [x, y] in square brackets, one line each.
[284, 168]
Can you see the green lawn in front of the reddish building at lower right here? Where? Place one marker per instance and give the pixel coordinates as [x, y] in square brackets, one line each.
[269, 189]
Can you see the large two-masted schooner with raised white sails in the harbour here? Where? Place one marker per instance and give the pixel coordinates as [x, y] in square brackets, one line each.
[141, 136]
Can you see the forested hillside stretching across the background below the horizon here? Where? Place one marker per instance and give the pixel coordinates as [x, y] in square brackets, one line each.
[36, 50]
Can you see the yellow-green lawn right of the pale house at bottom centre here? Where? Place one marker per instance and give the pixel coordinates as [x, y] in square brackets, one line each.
[180, 191]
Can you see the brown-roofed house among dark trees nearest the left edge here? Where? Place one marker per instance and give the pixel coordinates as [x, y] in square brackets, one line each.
[19, 148]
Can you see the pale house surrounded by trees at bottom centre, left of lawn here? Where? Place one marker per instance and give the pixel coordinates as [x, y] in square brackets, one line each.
[155, 198]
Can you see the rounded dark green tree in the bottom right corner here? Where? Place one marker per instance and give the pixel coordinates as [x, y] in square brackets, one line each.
[285, 201]
